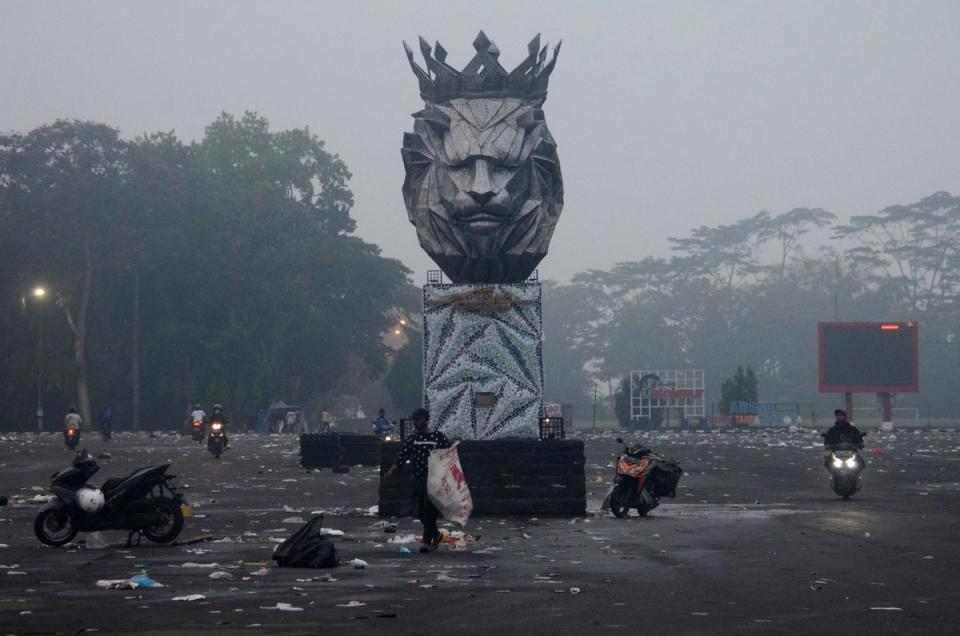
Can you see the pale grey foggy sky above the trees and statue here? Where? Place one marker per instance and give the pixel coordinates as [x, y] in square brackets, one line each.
[667, 115]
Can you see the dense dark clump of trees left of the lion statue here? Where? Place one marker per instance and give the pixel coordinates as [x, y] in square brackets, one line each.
[222, 271]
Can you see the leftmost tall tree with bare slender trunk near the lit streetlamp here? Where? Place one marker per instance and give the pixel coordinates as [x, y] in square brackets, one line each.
[59, 185]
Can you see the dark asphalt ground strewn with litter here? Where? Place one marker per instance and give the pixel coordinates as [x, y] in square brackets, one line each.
[755, 542]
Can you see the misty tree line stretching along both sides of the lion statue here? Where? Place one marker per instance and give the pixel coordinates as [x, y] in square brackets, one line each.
[228, 270]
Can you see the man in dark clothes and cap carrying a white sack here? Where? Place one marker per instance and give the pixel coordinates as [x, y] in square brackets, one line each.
[416, 450]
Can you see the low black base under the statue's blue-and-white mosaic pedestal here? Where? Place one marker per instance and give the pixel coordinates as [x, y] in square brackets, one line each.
[506, 477]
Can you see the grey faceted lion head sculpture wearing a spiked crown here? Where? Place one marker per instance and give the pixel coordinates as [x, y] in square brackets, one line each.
[483, 185]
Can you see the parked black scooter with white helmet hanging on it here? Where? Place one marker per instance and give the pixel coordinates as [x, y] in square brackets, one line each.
[144, 502]
